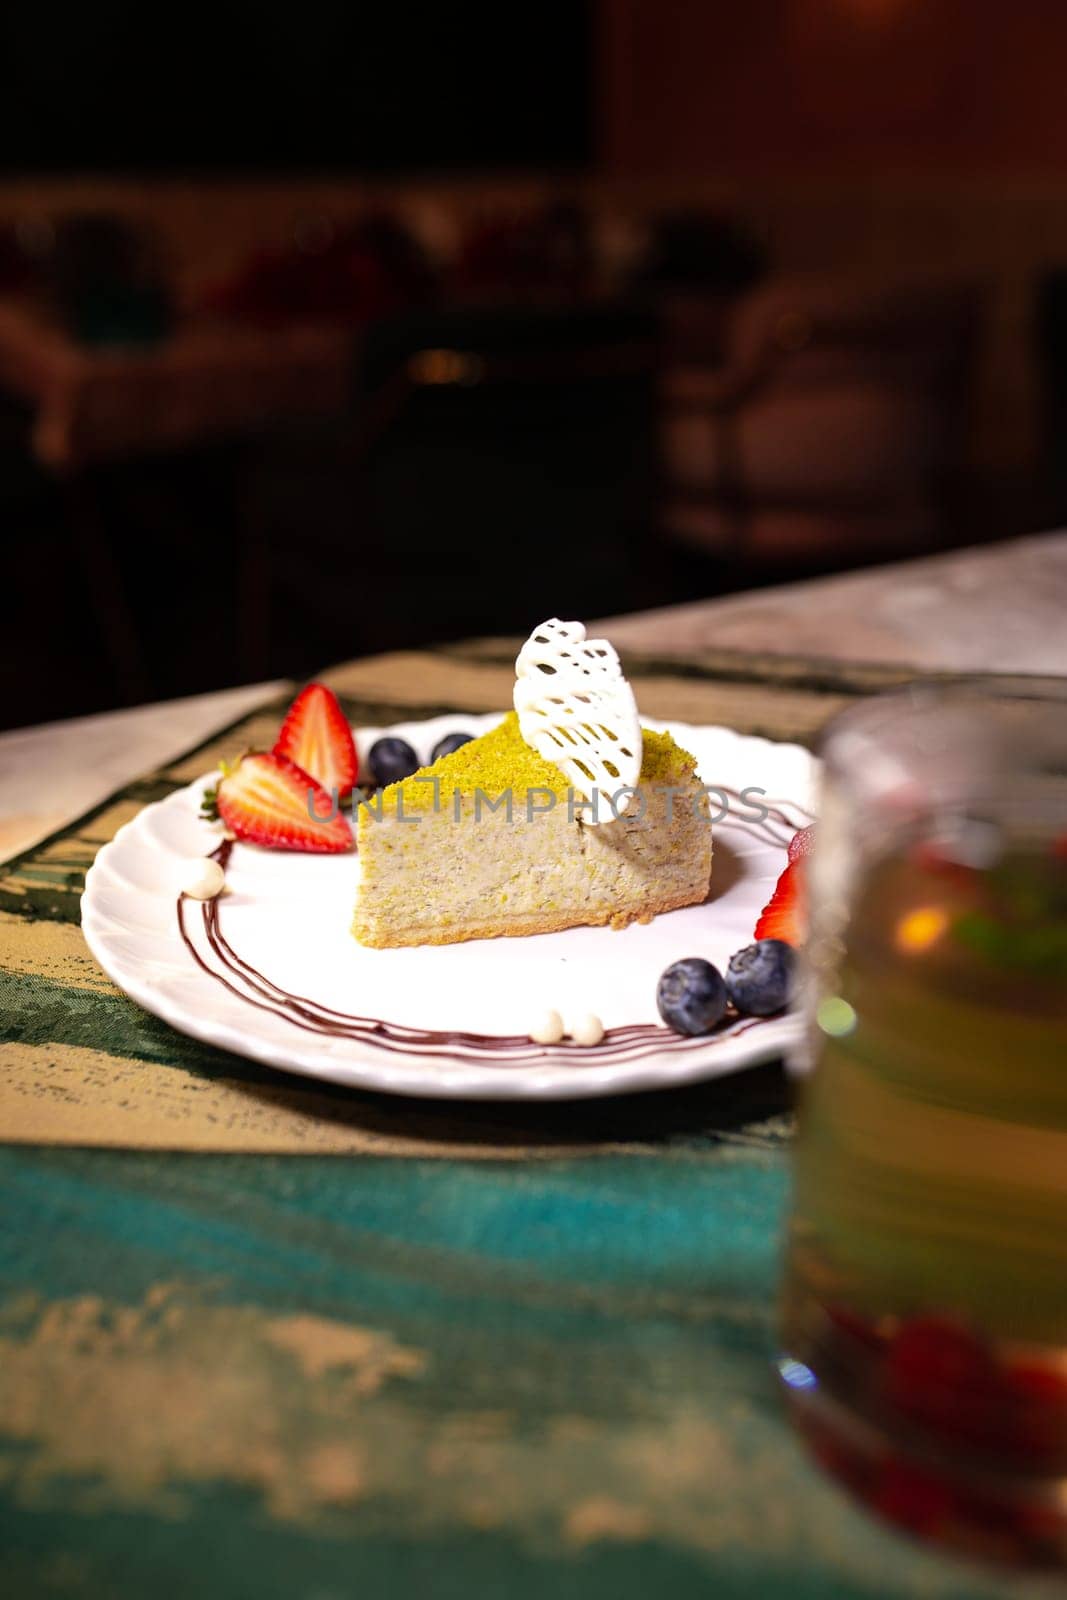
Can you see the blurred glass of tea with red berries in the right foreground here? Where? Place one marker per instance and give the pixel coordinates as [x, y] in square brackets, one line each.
[924, 1332]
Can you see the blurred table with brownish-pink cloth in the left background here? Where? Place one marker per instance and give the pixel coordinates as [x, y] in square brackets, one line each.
[206, 382]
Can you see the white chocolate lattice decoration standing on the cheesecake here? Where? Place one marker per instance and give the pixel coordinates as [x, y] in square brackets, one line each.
[577, 710]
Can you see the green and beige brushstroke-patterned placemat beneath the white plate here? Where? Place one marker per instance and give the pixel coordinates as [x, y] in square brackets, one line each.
[545, 1370]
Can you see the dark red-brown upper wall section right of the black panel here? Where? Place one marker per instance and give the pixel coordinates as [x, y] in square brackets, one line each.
[874, 87]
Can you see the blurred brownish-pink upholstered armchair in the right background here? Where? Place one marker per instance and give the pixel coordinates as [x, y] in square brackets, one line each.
[831, 430]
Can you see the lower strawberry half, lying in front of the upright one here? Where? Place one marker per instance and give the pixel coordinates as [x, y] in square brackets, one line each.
[270, 801]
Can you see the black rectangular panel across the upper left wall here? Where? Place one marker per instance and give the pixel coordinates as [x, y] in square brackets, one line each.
[327, 87]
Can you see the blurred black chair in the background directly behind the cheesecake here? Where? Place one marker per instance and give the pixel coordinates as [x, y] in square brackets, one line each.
[500, 466]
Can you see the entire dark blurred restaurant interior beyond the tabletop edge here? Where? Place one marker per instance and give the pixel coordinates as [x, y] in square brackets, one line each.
[353, 327]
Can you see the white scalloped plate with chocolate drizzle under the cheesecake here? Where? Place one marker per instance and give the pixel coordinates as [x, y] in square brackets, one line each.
[271, 970]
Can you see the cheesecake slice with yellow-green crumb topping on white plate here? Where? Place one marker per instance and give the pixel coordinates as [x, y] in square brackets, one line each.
[494, 842]
